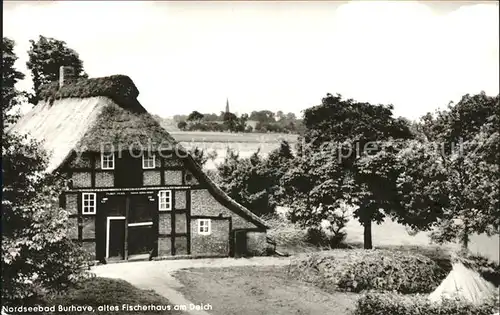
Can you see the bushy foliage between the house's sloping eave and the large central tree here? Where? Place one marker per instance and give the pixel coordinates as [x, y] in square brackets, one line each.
[254, 181]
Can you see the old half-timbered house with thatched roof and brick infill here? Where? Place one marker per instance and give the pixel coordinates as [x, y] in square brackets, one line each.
[133, 191]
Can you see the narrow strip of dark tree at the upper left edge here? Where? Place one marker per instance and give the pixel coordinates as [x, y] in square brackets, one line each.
[10, 76]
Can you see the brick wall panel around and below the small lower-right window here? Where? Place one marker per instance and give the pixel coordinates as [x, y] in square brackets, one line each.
[217, 243]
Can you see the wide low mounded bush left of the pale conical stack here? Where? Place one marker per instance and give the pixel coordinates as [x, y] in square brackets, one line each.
[359, 270]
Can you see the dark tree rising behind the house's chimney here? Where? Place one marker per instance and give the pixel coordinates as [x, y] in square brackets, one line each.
[46, 56]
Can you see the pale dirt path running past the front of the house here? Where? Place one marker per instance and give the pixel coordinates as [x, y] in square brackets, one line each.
[157, 275]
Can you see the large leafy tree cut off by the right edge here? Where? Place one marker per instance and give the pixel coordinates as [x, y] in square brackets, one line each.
[452, 173]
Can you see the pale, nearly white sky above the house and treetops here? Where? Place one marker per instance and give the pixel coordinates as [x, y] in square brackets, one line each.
[186, 56]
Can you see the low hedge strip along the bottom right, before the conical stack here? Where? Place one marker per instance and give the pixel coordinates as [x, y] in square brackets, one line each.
[396, 304]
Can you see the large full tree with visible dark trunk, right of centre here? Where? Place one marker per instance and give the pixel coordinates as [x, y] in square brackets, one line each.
[346, 157]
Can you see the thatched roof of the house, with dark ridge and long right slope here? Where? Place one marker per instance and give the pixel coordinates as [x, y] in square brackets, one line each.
[91, 114]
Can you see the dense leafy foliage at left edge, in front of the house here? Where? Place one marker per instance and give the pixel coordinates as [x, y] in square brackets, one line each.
[37, 256]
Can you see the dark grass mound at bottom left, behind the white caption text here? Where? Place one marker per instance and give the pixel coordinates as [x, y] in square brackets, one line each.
[96, 292]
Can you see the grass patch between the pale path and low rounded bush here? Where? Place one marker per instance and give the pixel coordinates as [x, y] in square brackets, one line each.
[259, 290]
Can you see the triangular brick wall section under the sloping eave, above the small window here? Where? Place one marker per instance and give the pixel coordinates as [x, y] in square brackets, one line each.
[204, 204]
